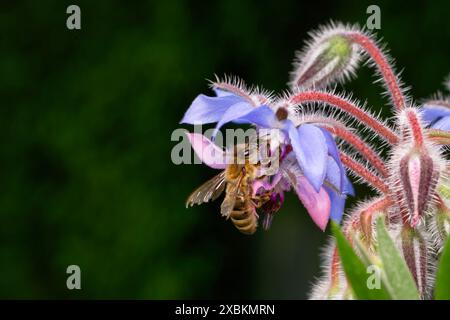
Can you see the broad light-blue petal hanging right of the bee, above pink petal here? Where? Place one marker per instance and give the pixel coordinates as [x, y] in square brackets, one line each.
[310, 148]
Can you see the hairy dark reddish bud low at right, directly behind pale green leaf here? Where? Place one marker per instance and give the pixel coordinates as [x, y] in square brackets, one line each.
[417, 256]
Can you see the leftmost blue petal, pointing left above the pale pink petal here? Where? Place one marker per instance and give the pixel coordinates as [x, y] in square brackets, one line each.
[206, 109]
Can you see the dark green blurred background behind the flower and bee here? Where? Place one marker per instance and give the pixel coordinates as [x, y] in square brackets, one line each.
[86, 118]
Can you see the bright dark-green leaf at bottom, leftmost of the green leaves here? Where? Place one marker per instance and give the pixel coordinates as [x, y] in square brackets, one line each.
[355, 270]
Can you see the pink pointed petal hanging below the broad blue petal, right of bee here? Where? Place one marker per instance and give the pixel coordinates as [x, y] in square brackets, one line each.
[317, 203]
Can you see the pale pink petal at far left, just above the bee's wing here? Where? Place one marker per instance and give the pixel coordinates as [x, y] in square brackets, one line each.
[207, 151]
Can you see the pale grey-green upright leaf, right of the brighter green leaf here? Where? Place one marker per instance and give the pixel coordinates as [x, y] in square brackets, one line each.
[400, 282]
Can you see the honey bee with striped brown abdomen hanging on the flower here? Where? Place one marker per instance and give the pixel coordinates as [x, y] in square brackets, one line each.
[239, 204]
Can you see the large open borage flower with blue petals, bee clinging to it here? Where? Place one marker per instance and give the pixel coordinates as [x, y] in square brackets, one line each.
[326, 186]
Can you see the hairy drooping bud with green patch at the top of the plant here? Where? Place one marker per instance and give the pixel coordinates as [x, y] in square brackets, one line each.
[330, 57]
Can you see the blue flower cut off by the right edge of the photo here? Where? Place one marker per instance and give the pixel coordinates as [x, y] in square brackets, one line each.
[436, 114]
